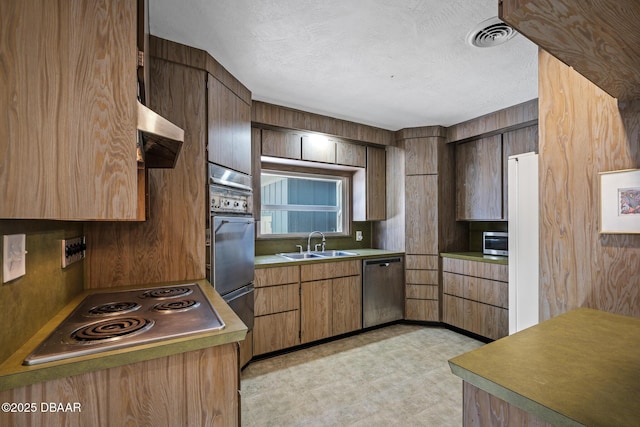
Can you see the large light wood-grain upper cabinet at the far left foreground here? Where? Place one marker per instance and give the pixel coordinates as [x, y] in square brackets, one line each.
[68, 112]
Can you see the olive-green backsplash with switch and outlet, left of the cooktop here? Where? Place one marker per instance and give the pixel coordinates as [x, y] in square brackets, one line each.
[30, 301]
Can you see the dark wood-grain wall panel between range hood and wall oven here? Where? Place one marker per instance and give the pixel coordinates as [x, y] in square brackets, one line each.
[170, 245]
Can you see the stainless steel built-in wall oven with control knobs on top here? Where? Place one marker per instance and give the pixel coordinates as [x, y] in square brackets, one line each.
[231, 239]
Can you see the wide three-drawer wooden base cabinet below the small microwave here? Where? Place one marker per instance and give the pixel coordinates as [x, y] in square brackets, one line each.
[476, 297]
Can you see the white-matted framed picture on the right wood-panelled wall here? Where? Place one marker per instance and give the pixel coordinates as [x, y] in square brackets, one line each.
[620, 202]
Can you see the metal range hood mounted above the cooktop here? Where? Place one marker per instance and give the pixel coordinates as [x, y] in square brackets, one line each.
[161, 140]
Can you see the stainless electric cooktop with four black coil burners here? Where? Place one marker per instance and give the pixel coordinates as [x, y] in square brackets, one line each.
[113, 320]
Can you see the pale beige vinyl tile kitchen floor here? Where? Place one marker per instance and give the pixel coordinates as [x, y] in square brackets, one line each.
[393, 376]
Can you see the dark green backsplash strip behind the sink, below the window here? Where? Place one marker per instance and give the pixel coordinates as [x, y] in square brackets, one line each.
[277, 245]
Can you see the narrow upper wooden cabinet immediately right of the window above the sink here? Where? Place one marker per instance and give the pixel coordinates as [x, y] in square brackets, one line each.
[369, 188]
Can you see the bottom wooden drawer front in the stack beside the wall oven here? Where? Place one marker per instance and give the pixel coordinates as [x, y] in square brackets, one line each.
[276, 331]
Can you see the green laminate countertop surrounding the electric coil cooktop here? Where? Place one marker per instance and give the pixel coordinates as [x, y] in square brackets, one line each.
[13, 374]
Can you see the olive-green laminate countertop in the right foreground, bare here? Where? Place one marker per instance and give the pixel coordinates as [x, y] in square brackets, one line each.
[579, 368]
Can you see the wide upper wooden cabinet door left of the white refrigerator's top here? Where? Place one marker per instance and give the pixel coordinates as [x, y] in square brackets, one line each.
[479, 179]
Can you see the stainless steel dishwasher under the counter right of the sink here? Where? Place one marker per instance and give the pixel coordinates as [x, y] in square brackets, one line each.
[382, 291]
